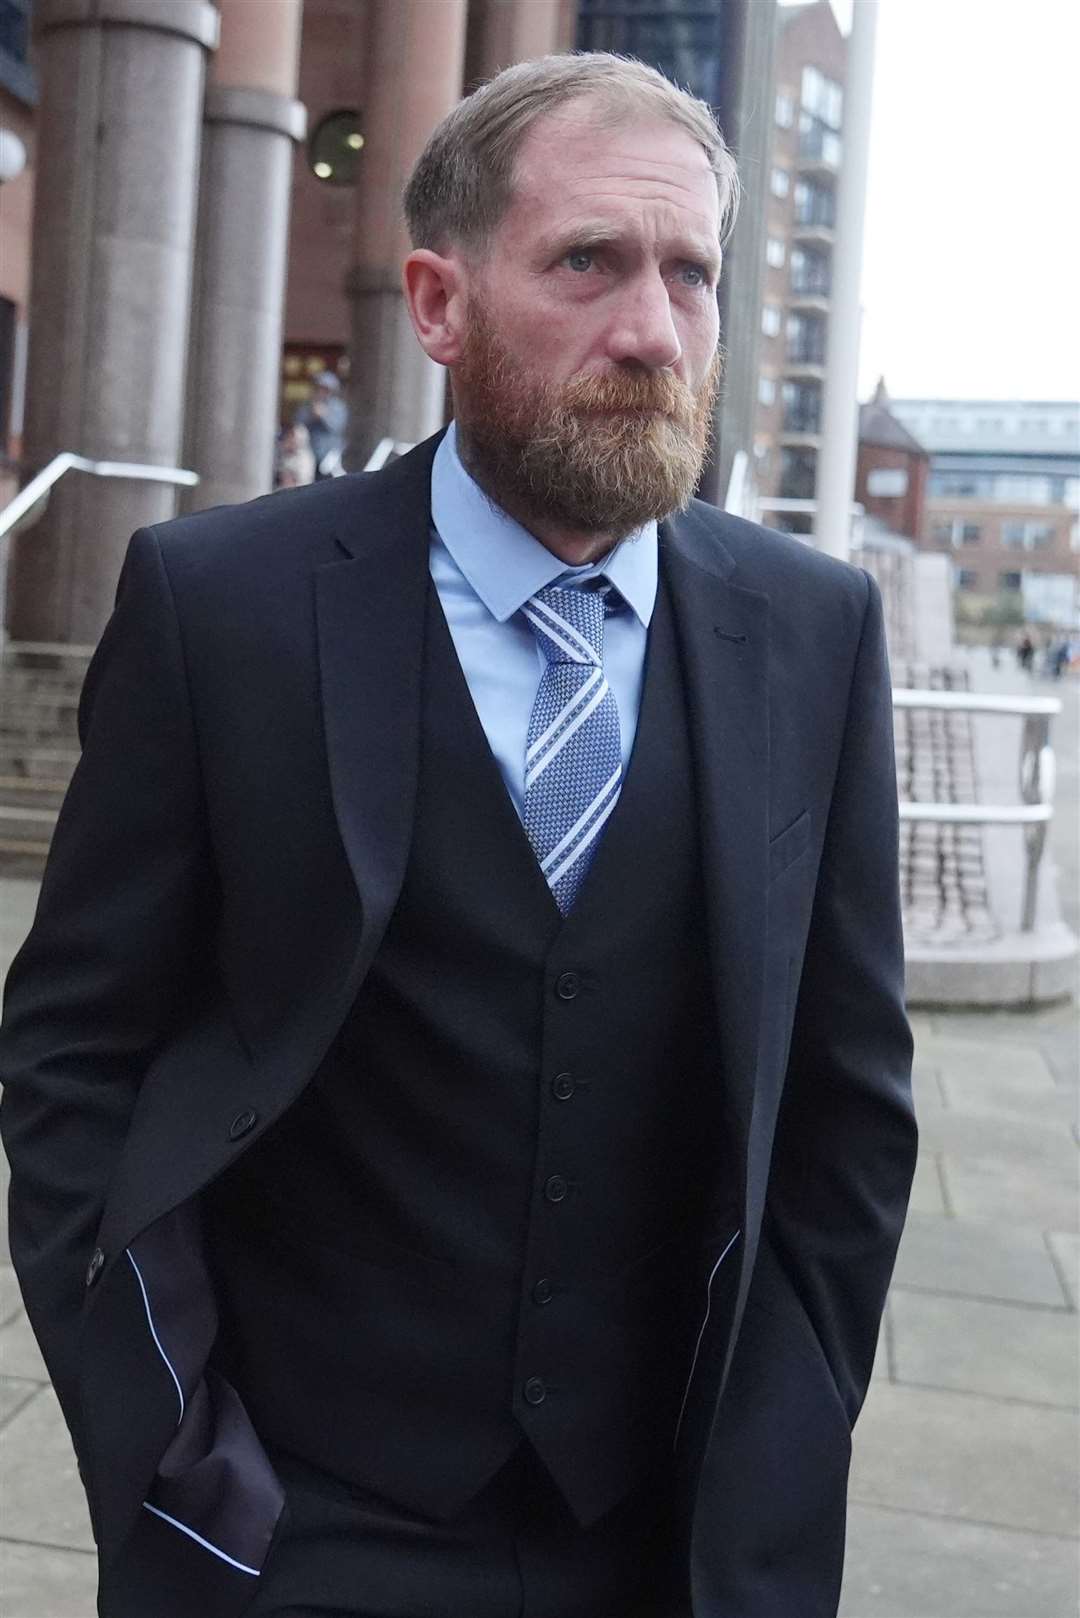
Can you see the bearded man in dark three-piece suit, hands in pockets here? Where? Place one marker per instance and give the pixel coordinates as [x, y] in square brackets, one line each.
[457, 1082]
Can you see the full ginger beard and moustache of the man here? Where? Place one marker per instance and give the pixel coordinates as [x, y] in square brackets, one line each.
[598, 455]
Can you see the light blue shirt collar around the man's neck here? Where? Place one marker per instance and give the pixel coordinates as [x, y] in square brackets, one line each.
[506, 564]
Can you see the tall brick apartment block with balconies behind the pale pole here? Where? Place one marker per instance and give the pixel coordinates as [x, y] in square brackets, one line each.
[807, 150]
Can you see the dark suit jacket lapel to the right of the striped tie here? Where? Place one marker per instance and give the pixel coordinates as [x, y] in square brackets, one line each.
[723, 635]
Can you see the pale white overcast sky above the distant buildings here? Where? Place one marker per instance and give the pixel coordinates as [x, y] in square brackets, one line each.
[972, 253]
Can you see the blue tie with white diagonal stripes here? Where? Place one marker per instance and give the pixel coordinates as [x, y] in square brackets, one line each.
[574, 756]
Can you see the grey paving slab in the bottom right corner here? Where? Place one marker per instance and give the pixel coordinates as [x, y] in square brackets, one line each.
[906, 1565]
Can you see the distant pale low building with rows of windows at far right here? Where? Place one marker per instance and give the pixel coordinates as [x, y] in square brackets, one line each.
[1003, 501]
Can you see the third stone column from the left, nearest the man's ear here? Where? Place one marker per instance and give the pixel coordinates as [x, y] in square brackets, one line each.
[414, 74]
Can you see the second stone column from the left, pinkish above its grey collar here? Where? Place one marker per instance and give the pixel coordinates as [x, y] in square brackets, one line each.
[252, 122]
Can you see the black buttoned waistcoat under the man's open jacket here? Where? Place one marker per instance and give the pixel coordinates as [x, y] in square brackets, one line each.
[477, 1224]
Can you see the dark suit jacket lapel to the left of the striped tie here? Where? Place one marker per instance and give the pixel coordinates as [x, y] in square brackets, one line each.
[370, 612]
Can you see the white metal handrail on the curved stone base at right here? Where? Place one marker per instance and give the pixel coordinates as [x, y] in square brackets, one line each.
[1039, 773]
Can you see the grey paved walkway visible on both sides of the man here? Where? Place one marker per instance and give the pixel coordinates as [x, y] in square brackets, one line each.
[964, 1491]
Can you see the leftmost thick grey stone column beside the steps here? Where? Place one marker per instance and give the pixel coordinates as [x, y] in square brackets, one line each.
[114, 231]
